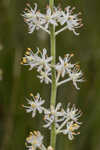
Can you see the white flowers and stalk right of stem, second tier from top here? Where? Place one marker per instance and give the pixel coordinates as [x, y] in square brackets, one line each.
[64, 67]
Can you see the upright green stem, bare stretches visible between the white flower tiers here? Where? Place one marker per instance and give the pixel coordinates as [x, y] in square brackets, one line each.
[54, 89]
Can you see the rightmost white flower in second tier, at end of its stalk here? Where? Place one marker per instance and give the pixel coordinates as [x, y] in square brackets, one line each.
[76, 76]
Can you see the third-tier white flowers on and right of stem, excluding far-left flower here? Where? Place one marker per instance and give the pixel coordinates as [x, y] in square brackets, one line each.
[66, 122]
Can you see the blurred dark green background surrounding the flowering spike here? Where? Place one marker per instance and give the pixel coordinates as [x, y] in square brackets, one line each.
[16, 82]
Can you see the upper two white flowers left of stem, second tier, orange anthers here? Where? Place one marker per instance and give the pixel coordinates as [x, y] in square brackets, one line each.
[38, 60]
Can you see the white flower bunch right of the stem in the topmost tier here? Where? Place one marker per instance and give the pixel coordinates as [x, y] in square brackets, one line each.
[72, 20]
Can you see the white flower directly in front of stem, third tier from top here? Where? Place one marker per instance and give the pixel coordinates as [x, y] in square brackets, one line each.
[53, 116]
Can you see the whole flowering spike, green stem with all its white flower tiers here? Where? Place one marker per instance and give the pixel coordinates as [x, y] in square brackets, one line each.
[56, 118]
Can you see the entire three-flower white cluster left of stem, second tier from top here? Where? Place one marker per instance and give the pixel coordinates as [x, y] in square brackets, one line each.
[41, 62]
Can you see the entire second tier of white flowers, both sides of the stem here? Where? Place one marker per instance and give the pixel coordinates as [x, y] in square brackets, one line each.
[64, 67]
